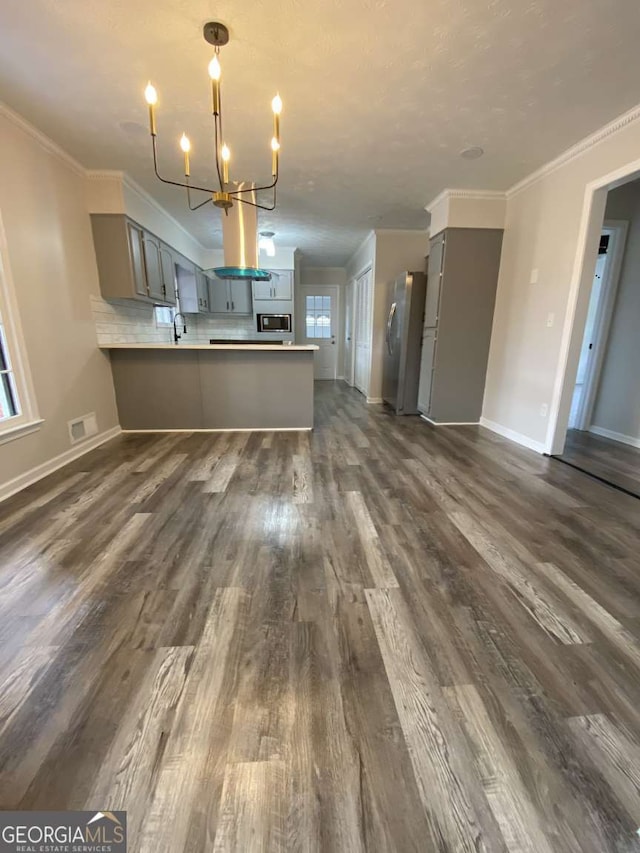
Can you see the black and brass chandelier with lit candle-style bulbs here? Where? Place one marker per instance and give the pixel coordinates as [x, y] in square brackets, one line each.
[224, 196]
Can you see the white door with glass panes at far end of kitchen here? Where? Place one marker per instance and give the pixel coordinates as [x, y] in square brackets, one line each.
[320, 328]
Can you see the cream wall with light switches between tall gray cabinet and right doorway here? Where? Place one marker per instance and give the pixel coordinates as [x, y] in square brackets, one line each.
[546, 231]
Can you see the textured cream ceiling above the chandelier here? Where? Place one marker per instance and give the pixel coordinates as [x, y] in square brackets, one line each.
[380, 96]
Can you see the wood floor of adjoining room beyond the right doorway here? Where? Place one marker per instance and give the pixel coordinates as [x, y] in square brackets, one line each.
[612, 461]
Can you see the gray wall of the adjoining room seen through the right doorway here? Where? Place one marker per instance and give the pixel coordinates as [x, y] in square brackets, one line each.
[617, 408]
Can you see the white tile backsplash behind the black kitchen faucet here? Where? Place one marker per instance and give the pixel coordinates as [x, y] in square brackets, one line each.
[123, 321]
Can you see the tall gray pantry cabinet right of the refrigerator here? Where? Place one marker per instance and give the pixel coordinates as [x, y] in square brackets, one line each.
[461, 292]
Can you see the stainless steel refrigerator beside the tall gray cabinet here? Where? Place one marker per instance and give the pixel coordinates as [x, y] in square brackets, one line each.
[401, 369]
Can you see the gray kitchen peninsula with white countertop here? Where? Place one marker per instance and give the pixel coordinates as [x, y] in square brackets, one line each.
[213, 387]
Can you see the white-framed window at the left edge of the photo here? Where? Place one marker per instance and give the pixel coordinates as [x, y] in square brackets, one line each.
[18, 414]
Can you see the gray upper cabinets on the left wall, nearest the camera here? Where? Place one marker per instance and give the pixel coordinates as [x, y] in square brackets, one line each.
[132, 264]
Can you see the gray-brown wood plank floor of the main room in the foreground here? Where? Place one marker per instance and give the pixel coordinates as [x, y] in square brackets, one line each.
[379, 636]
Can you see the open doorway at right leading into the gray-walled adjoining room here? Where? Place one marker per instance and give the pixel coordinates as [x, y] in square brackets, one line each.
[603, 435]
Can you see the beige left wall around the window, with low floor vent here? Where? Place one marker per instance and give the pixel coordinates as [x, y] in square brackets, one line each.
[50, 248]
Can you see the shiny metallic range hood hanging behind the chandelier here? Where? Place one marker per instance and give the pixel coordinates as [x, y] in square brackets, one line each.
[240, 241]
